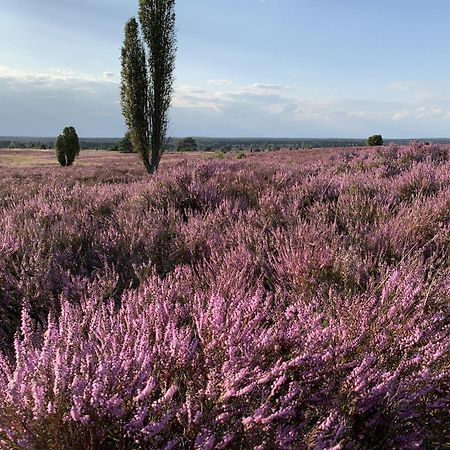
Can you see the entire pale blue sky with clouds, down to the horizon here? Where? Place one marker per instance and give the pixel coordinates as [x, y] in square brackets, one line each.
[244, 68]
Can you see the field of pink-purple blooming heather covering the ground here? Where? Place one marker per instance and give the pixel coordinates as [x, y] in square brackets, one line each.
[285, 300]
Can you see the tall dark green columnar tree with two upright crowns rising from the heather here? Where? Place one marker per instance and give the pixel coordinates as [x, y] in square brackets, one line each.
[148, 62]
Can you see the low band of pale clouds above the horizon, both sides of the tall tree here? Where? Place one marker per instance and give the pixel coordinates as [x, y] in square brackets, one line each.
[43, 103]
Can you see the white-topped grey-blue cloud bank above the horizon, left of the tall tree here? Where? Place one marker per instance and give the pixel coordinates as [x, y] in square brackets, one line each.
[42, 104]
